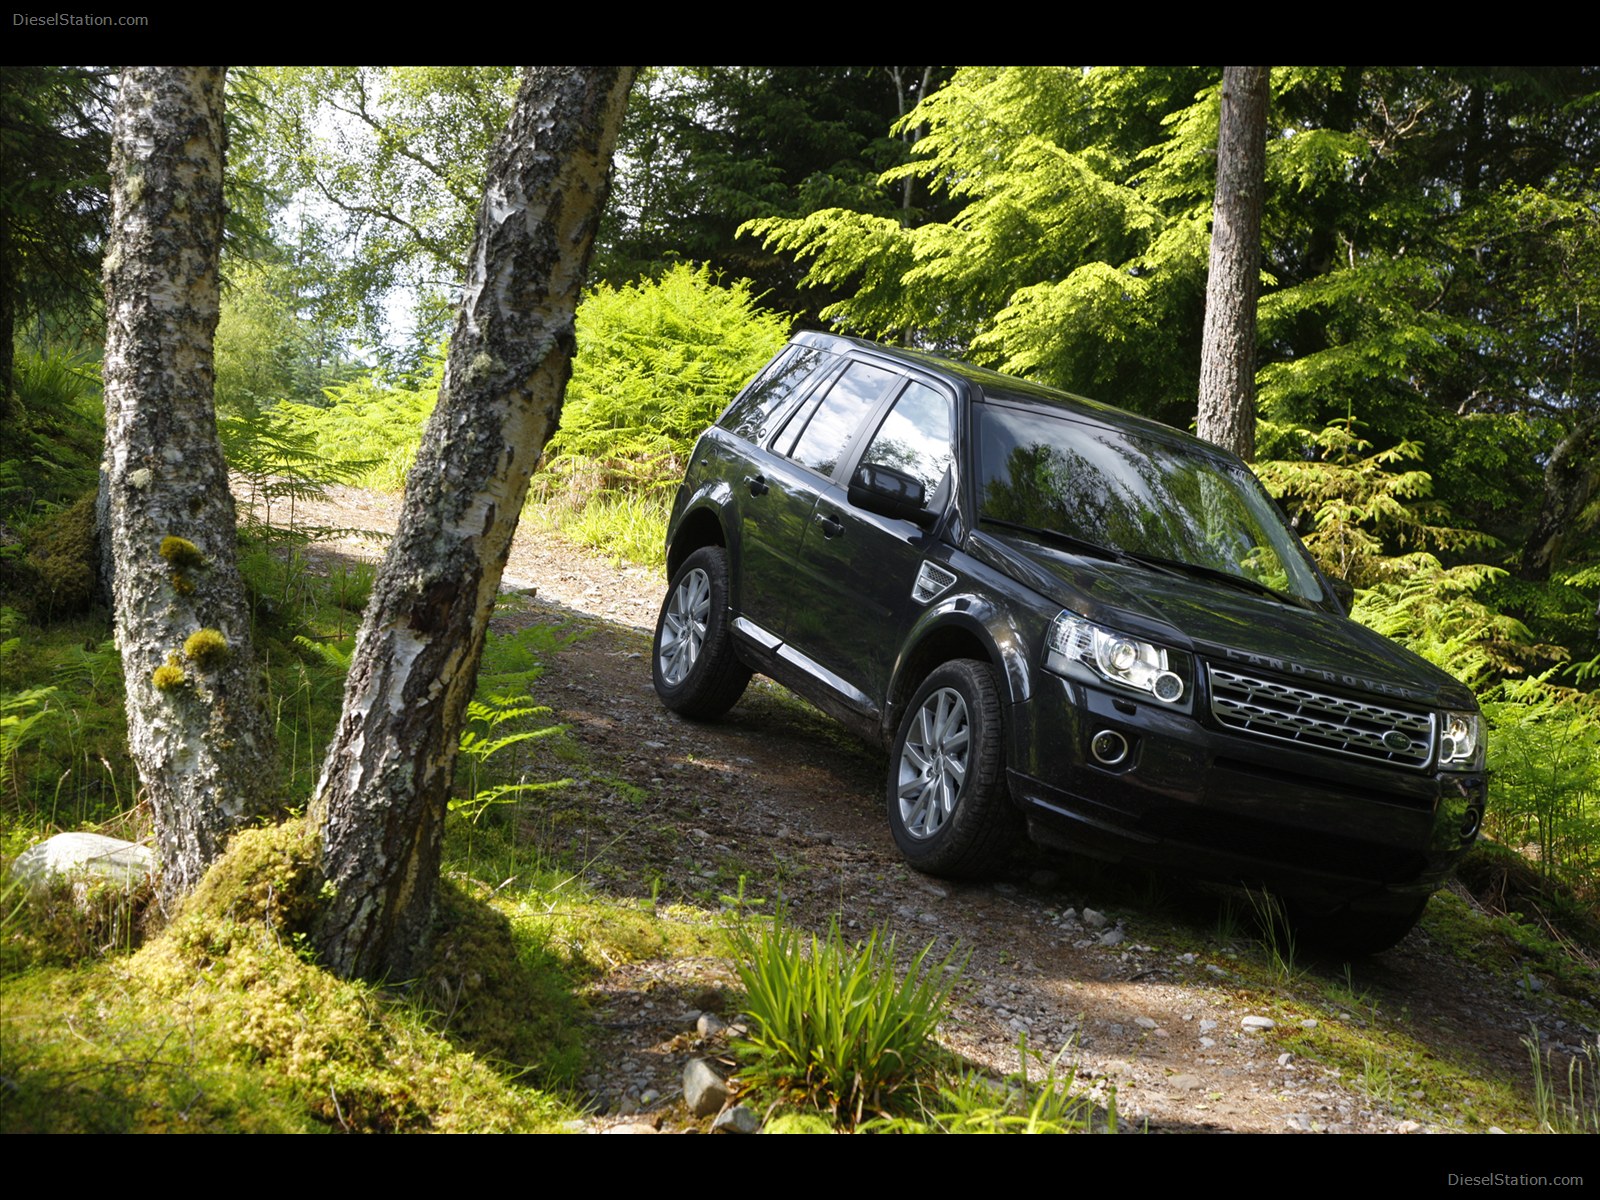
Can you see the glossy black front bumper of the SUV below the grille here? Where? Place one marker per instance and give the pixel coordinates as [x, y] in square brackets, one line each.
[1322, 828]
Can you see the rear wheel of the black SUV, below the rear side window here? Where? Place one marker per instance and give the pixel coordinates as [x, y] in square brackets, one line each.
[694, 662]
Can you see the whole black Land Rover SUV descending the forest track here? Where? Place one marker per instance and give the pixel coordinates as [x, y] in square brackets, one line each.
[1068, 618]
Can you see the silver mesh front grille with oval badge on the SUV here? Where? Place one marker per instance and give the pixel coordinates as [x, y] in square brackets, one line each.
[1271, 710]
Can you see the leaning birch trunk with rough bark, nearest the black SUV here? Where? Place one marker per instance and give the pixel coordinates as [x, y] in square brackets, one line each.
[386, 782]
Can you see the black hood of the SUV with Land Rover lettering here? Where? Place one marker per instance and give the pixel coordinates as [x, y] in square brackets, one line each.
[1222, 623]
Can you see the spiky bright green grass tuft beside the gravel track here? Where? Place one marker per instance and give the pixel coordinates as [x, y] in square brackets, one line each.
[833, 1025]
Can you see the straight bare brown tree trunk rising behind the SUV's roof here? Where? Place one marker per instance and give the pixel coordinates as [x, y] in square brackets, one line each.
[1228, 356]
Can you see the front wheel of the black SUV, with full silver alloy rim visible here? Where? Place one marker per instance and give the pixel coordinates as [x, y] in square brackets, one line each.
[948, 801]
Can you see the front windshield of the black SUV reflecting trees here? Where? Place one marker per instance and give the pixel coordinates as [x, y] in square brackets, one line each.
[1135, 494]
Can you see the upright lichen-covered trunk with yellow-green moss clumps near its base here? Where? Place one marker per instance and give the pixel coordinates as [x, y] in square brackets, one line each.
[196, 724]
